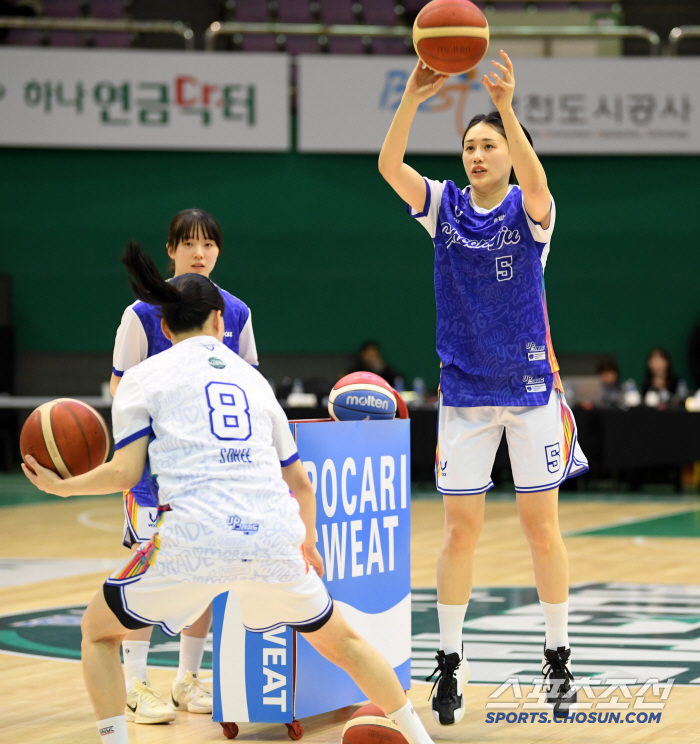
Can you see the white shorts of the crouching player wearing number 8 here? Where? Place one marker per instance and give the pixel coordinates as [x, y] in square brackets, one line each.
[140, 595]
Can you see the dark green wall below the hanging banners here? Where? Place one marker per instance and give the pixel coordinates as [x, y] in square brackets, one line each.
[323, 252]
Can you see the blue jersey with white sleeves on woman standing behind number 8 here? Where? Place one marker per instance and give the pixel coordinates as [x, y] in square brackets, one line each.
[141, 315]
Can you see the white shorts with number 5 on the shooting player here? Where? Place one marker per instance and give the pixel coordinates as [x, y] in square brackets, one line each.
[542, 445]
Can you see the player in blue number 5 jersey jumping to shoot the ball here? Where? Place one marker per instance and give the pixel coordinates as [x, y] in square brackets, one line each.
[498, 369]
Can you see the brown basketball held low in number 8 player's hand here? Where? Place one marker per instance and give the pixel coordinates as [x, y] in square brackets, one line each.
[66, 436]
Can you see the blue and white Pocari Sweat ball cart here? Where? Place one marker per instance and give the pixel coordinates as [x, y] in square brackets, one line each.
[360, 472]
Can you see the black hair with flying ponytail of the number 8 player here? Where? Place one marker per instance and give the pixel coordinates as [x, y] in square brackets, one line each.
[185, 302]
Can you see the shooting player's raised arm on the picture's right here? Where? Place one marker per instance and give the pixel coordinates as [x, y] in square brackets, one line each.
[531, 176]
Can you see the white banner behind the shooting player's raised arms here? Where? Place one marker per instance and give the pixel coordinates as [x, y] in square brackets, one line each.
[570, 106]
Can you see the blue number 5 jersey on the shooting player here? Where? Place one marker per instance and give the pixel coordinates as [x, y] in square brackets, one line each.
[493, 335]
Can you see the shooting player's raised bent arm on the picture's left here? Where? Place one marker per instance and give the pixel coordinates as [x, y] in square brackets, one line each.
[406, 181]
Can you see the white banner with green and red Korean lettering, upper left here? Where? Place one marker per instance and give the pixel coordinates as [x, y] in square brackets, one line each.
[88, 98]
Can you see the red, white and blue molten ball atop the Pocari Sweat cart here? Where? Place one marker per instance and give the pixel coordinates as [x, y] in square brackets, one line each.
[364, 395]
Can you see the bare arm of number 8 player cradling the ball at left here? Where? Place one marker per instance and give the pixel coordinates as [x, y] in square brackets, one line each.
[121, 473]
